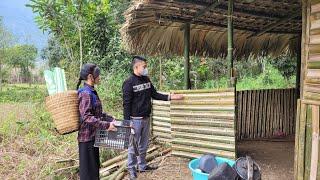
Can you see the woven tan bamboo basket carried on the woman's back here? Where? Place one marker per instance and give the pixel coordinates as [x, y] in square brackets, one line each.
[64, 108]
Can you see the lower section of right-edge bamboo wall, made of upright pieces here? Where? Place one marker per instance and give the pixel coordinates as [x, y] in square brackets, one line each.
[307, 162]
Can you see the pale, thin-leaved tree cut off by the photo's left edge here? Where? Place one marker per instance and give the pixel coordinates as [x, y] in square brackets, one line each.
[6, 39]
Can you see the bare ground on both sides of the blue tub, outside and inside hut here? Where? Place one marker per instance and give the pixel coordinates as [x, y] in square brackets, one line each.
[275, 158]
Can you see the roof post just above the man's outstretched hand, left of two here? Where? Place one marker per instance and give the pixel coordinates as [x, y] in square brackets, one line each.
[186, 56]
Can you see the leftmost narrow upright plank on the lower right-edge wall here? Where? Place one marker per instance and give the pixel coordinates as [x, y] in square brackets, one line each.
[301, 146]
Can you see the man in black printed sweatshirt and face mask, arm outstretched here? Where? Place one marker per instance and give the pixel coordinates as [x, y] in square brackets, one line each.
[137, 93]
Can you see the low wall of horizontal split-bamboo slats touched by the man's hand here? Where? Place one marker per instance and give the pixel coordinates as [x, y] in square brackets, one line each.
[201, 123]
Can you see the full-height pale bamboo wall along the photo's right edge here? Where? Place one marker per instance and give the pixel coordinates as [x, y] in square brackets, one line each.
[307, 164]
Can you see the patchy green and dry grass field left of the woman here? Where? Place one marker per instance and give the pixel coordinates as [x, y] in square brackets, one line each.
[29, 143]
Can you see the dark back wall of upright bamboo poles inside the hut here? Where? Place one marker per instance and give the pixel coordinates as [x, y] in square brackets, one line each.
[264, 113]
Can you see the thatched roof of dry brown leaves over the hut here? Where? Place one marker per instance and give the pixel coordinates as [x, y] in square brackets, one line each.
[154, 27]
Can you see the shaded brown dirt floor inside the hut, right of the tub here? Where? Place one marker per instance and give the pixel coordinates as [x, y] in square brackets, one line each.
[275, 158]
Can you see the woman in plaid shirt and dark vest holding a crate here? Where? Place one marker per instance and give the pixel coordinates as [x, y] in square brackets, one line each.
[91, 119]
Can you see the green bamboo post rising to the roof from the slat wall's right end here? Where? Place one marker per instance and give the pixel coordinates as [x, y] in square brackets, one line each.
[230, 41]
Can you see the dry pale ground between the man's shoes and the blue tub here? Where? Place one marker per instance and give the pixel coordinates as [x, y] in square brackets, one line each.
[170, 168]
